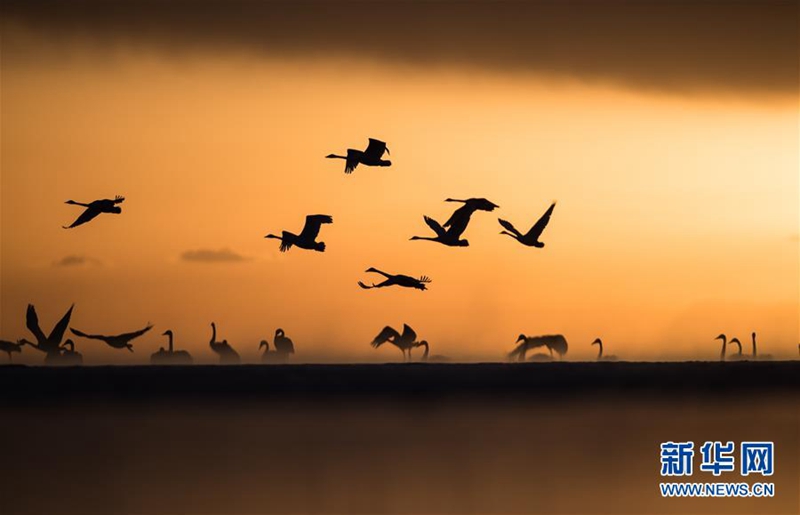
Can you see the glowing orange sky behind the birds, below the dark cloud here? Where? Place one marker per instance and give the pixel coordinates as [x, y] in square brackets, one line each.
[677, 214]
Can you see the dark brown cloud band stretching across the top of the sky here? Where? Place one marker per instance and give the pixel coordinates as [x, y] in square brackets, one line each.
[738, 46]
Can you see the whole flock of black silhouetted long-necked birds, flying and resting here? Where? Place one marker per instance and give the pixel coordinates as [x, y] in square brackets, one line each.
[450, 234]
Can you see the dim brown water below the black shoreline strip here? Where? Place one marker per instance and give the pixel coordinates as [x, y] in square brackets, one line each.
[597, 455]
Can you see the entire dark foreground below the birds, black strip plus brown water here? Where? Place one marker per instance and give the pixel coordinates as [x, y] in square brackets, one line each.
[501, 439]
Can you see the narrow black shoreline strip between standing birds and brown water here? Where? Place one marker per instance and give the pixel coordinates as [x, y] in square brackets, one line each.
[24, 384]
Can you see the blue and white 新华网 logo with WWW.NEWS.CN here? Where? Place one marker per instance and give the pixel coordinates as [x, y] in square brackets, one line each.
[717, 458]
